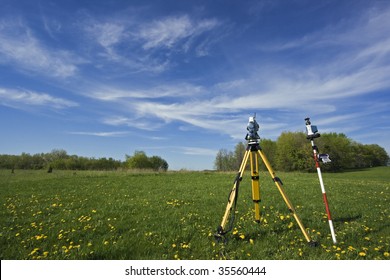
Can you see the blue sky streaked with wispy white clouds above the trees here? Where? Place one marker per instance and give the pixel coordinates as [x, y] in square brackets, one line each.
[179, 79]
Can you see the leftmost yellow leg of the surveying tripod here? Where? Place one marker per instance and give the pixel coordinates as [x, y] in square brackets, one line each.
[232, 200]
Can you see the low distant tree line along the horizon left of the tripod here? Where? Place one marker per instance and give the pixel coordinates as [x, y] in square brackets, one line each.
[59, 159]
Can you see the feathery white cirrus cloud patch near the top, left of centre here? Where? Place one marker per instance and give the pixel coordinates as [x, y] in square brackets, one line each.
[145, 46]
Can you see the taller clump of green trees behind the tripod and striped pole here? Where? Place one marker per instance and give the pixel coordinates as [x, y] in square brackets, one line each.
[293, 152]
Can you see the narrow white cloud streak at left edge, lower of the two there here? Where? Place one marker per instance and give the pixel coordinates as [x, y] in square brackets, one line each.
[20, 97]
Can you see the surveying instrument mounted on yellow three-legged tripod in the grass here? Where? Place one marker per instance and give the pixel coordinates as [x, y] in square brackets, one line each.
[252, 153]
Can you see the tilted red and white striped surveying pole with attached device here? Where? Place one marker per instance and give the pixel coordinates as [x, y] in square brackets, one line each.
[313, 133]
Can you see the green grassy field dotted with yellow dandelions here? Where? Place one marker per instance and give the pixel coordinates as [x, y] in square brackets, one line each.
[173, 215]
